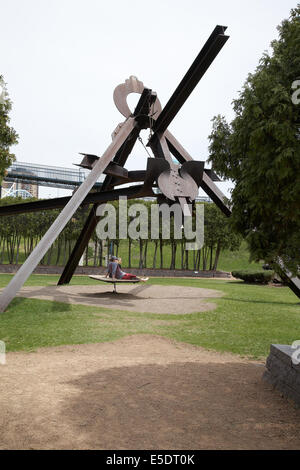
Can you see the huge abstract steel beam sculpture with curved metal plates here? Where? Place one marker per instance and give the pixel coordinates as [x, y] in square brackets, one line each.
[177, 182]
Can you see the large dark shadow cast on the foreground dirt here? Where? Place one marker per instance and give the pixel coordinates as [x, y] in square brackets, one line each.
[182, 405]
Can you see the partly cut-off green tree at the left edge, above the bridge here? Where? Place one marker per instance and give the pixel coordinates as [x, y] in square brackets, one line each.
[8, 135]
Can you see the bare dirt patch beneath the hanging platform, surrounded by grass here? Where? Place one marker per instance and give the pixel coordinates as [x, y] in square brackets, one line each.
[143, 298]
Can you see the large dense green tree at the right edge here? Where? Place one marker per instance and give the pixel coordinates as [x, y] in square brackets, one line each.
[260, 152]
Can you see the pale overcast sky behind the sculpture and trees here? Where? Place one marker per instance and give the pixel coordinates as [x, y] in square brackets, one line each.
[62, 59]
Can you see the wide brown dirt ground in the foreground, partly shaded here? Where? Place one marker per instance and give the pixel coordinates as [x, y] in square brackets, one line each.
[141, 392]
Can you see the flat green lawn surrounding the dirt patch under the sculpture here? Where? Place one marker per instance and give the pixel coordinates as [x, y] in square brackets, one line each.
[247, 319]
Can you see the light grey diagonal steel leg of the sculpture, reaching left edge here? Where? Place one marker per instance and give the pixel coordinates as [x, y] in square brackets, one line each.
[41, 249]
